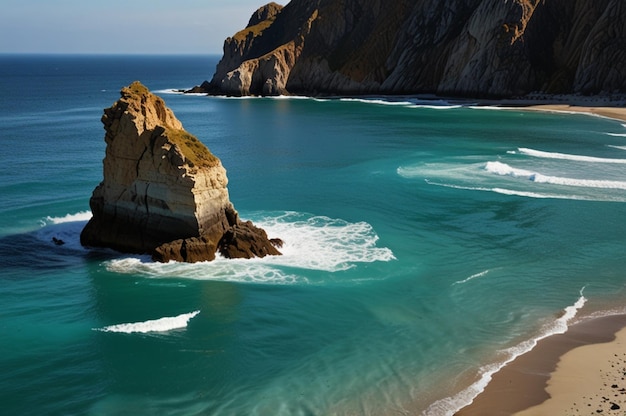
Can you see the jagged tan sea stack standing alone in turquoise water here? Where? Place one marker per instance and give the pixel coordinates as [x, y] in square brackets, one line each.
[164, 192]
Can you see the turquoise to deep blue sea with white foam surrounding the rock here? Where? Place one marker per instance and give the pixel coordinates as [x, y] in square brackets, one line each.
[427, 244]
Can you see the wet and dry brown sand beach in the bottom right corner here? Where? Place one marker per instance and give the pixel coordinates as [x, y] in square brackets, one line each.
[571, 373]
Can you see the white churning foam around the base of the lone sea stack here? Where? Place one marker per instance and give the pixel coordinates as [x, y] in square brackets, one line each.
[310, 243]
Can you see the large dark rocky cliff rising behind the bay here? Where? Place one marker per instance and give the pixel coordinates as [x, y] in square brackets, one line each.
[480, 48]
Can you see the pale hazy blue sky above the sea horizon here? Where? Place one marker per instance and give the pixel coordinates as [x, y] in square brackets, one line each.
[122, 26]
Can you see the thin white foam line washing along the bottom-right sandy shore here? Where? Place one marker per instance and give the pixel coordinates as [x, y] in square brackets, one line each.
[450, 405]
